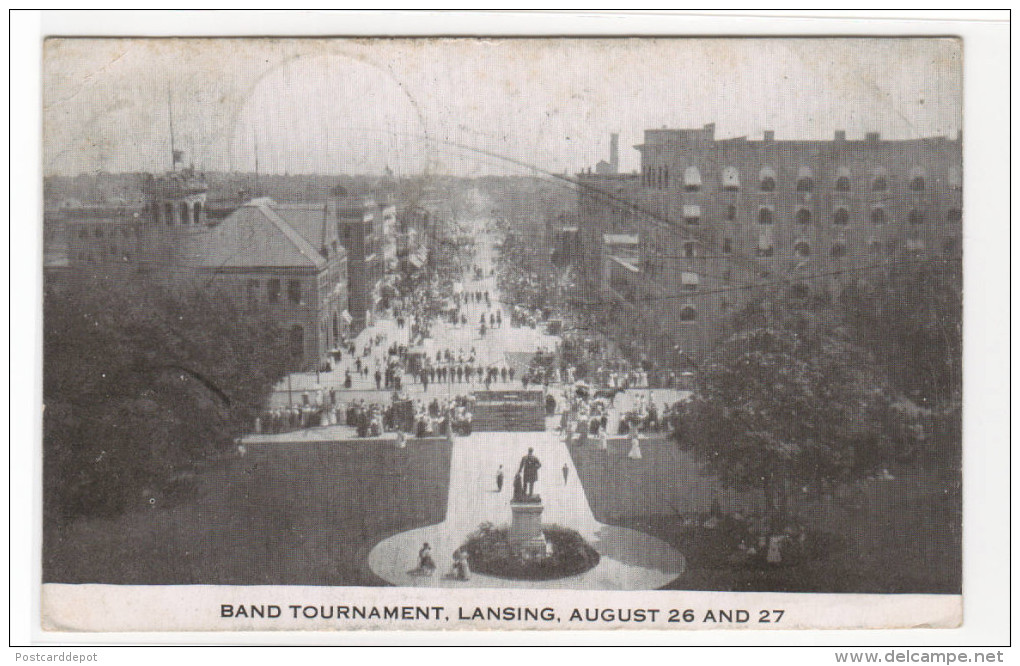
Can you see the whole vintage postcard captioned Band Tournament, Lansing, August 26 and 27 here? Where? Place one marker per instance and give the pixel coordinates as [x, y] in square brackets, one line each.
[514, 334]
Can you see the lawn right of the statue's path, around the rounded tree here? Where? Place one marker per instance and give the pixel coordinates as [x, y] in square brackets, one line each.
[904, 538]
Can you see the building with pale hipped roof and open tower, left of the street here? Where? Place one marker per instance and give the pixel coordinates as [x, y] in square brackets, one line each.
[284, 261]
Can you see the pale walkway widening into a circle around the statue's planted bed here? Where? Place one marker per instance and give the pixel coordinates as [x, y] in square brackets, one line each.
[631, 559]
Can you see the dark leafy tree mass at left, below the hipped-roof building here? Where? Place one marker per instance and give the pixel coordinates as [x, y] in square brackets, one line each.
[141, 385]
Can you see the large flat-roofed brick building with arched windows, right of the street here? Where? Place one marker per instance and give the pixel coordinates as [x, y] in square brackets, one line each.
[718, 222]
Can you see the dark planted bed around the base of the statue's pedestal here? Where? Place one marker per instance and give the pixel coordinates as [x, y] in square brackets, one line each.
[490, 553]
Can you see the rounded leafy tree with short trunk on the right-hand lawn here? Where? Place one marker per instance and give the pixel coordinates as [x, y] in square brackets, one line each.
[785, 402]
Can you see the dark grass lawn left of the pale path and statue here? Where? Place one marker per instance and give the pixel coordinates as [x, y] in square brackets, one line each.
[283, 515]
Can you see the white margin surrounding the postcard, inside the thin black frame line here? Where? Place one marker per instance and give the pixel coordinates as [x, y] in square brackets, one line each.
[987, 347]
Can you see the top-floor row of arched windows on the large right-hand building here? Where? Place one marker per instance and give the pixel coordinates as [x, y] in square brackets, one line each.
[731, 180]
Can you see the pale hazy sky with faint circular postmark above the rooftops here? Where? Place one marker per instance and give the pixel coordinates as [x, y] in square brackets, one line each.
[471, 108]
